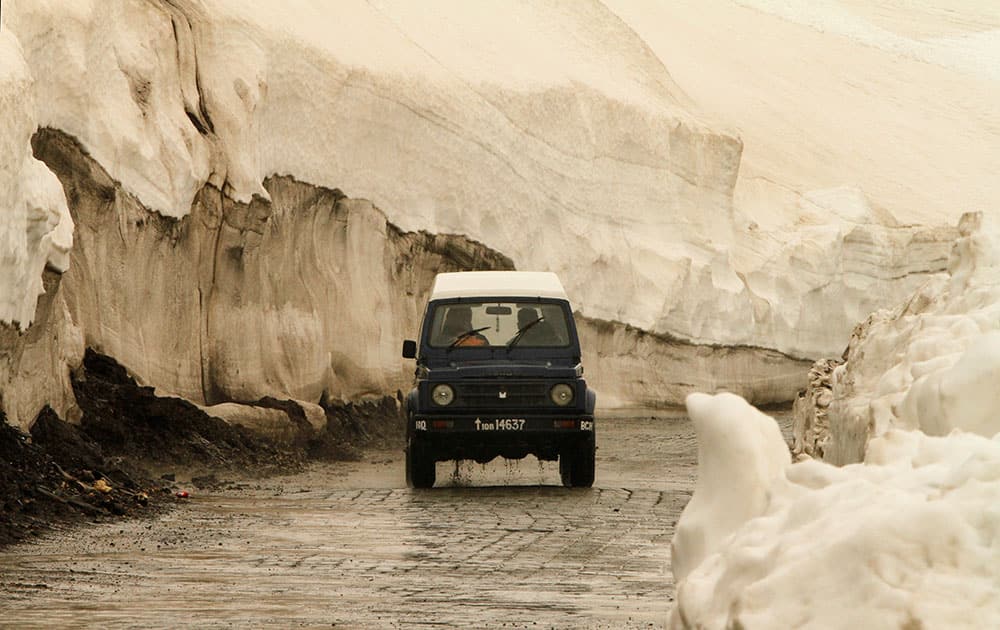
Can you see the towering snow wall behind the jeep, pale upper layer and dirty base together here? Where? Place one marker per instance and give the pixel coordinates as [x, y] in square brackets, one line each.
[567, 147]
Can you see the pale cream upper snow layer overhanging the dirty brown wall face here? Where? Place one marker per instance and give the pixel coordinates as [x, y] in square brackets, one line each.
[493, 121]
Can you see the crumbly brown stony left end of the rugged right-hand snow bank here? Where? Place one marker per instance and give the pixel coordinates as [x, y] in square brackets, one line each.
[810, 426]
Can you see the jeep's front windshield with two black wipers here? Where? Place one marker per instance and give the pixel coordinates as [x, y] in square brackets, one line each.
[520, 324]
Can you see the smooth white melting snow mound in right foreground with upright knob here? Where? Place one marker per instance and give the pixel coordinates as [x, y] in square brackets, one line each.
[909, 539]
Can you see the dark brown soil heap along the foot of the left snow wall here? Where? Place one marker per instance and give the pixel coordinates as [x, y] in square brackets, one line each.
[134, 452]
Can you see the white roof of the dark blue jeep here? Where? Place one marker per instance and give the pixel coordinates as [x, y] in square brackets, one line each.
[497, 284]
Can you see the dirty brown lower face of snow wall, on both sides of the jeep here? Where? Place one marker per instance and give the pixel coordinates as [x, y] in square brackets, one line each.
[305, 296]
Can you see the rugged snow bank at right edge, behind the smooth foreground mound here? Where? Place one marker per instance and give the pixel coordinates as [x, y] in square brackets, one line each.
[931, 363]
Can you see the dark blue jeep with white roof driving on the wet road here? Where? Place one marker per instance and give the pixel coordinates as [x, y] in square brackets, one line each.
[498, 374]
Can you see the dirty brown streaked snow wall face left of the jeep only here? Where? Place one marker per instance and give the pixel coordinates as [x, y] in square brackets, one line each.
[304, 296]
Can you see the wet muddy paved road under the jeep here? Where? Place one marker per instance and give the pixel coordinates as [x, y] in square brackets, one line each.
[348, 545]
